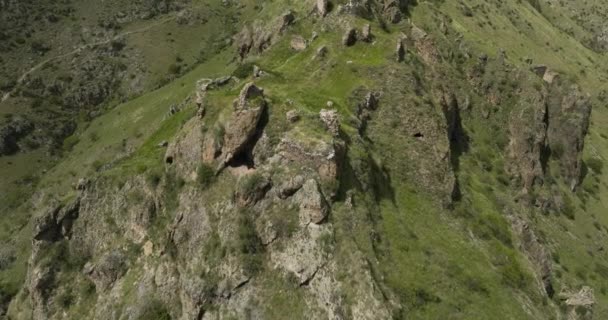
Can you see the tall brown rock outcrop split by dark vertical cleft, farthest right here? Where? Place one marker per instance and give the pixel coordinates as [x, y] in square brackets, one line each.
[545, 125]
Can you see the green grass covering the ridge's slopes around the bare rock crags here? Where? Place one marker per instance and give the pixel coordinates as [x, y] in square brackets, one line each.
[433, 263]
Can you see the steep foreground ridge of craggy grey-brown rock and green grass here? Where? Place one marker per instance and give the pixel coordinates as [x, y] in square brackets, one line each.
[320, 173]
